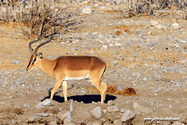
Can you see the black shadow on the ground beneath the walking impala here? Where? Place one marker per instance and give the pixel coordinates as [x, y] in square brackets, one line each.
[82, 98]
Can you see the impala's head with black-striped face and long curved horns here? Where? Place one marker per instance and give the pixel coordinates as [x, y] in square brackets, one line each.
[35, 58]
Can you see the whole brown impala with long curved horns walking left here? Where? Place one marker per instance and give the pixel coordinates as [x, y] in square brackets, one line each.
[69, 68]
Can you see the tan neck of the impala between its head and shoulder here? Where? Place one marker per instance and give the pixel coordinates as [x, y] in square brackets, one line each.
[47, 66]
